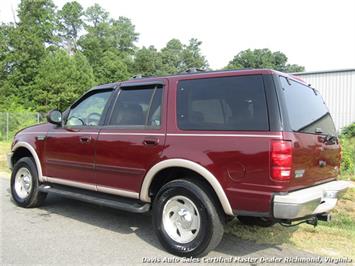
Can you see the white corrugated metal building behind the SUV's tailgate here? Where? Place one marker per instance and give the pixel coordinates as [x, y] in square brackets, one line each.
[338, 90]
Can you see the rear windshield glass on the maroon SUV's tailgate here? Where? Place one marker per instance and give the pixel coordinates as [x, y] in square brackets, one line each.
[306, 109]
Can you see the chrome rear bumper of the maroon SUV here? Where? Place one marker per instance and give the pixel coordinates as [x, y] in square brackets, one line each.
[309, 201]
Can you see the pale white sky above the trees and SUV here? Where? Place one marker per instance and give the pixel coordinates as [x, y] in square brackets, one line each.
[318, 34]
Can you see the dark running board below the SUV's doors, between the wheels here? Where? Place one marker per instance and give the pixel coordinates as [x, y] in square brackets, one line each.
[98, 198]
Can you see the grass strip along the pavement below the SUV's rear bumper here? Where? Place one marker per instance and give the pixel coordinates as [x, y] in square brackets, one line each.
[336, 238]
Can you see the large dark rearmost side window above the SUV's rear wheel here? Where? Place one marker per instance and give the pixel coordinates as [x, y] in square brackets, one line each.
[228, 103]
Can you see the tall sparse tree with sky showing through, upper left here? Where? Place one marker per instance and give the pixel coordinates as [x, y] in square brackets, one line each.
[70, 23]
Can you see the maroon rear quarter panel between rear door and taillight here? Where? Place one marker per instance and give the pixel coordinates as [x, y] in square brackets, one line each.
[238, 159]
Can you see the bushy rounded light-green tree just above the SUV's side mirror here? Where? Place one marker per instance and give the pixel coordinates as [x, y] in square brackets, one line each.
[62, 78]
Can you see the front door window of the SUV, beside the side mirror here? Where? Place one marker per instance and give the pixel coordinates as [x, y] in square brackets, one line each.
[88, 112]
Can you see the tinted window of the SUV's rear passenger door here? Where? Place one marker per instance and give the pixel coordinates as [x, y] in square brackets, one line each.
[139, 106]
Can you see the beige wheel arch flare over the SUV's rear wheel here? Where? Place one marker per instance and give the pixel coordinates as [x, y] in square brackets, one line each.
[190, 165]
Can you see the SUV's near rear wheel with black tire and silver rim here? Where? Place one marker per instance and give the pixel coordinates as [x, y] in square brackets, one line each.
[186, 220]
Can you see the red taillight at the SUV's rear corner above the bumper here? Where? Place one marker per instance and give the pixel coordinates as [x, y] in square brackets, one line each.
[281, 160]
